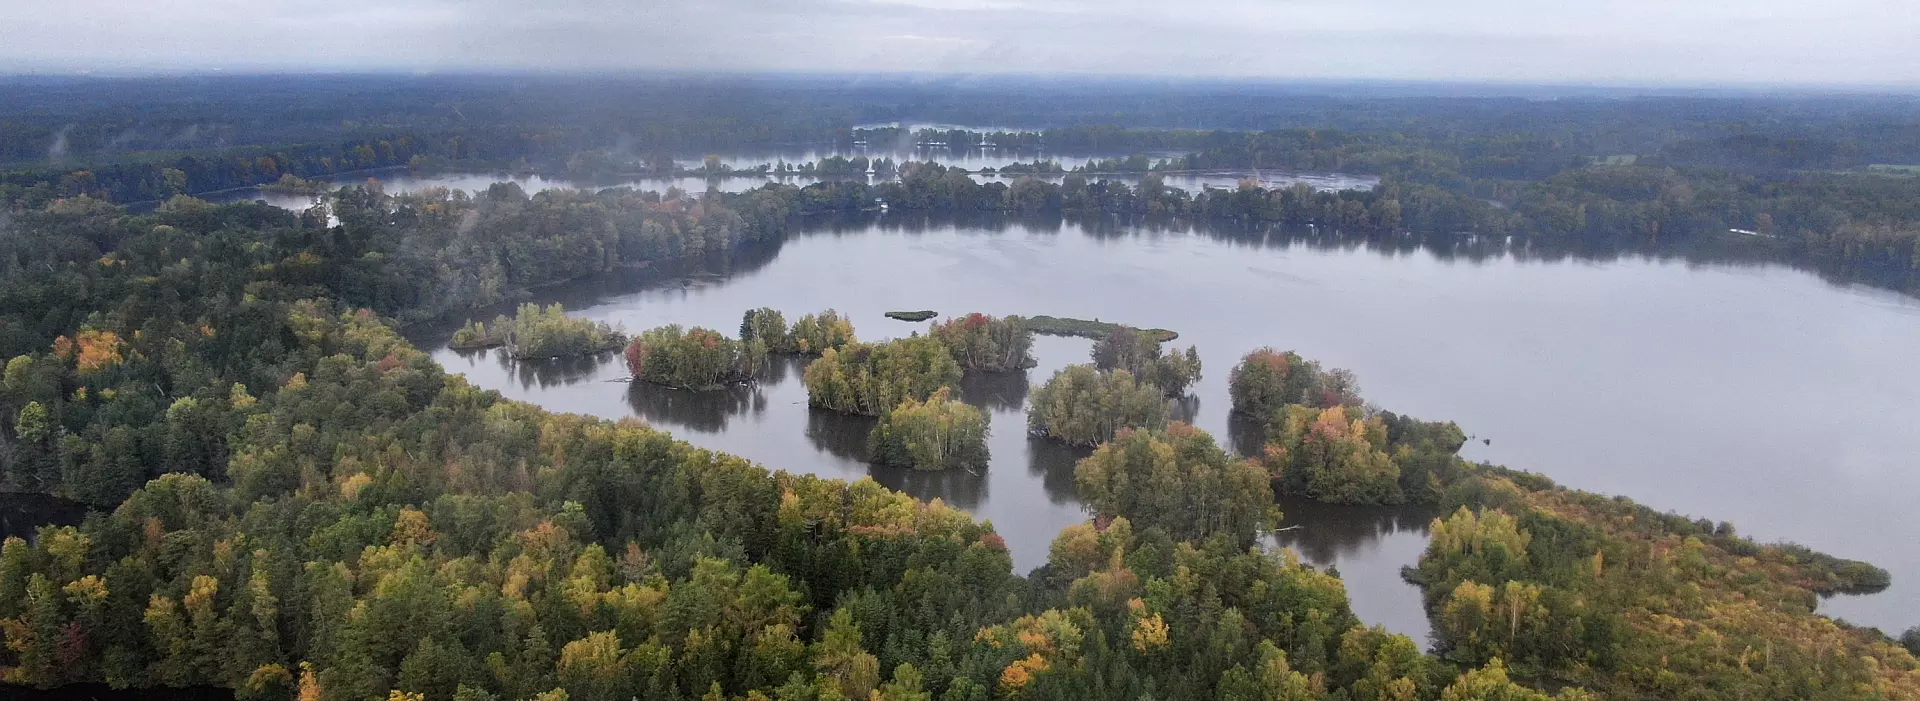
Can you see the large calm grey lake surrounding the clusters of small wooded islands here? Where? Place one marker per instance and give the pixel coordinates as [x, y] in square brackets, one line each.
[1740, 393]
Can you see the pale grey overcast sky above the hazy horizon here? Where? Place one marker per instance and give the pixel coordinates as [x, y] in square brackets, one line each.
[1535, 41]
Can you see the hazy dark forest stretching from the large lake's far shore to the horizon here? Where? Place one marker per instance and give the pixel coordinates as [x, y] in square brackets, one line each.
[1819, 178]
